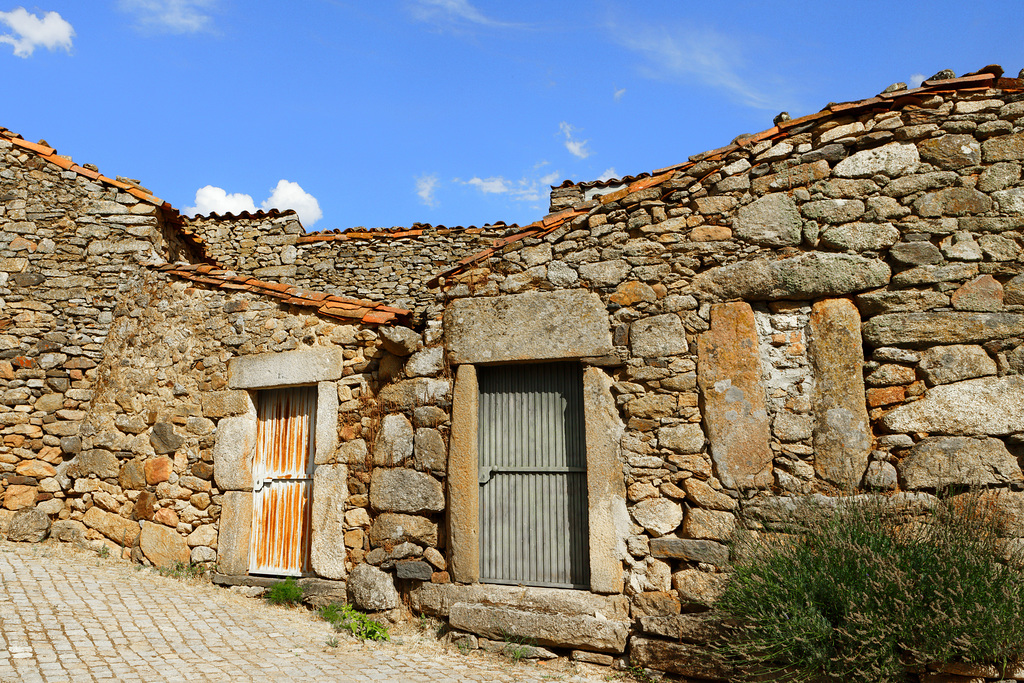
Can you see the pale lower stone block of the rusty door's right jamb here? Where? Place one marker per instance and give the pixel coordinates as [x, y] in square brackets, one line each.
[330, 493]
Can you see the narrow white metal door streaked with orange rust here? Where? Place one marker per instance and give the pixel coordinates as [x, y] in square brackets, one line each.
[283, 482]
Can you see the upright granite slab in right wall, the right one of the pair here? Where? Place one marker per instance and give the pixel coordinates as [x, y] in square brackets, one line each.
[842, 433]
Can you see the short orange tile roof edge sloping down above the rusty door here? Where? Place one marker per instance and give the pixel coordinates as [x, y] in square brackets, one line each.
[328, 306]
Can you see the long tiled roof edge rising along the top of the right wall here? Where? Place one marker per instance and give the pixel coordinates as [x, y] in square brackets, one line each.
[892, 101]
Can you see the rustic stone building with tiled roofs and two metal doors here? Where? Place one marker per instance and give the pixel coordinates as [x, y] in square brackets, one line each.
[551, 431]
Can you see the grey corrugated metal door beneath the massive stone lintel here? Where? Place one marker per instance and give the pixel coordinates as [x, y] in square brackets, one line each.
[533, 469]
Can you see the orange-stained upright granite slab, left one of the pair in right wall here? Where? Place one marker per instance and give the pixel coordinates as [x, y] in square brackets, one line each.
[735, 413]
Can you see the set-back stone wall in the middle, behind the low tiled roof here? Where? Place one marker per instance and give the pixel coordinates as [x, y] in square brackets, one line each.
[391, 267]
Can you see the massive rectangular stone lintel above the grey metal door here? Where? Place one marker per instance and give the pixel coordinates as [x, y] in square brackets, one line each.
[534, 326]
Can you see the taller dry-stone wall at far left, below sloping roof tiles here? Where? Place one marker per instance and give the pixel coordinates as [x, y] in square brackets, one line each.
[68, 245]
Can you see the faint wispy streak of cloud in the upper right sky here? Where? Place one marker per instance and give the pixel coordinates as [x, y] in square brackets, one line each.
[674, 54]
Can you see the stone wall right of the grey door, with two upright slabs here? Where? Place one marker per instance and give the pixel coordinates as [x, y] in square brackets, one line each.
[834, 309]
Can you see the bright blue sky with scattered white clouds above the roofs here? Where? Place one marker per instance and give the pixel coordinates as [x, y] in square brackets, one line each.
[448, 112]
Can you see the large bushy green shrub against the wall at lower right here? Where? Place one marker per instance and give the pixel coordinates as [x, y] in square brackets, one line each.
[865, 593]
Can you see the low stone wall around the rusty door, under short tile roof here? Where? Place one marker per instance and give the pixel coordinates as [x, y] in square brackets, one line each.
[150, 458]
